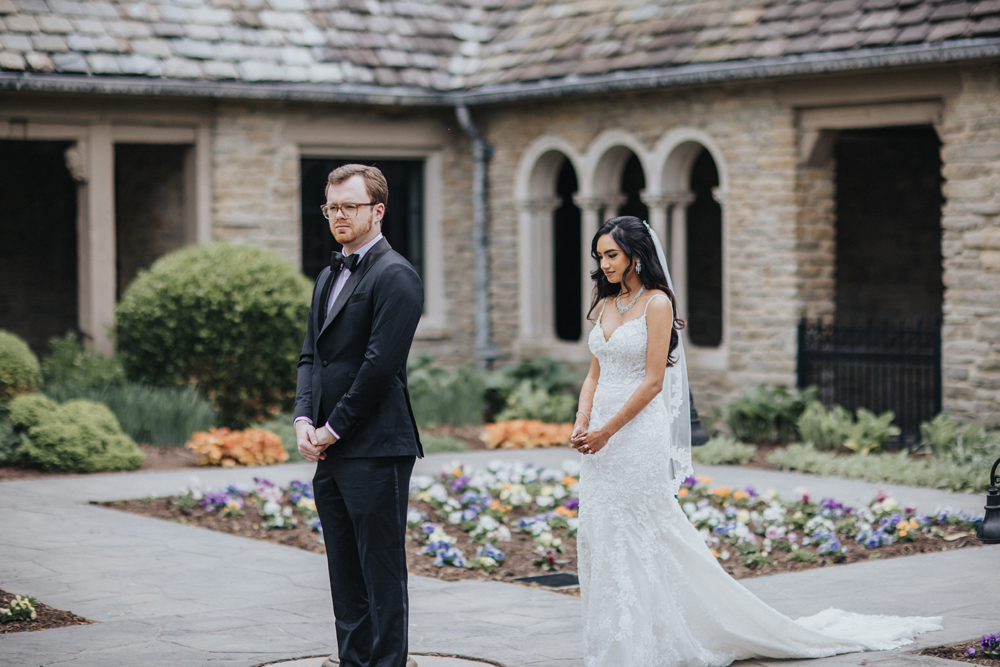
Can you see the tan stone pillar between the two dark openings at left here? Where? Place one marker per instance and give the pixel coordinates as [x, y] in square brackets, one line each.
[96, 243]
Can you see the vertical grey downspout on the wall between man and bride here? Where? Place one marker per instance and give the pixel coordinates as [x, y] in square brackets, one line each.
[486, 351]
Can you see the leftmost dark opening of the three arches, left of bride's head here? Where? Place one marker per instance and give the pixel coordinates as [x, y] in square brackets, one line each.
[566, 245]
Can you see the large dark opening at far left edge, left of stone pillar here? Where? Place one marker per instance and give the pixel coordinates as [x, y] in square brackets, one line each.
[38, 241]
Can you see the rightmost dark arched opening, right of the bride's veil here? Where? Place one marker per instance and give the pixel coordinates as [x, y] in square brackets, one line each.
[704, 255]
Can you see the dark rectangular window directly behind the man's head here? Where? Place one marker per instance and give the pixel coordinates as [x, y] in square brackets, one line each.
[403, 224]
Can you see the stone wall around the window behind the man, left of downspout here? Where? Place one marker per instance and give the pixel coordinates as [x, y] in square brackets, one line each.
[256, 192]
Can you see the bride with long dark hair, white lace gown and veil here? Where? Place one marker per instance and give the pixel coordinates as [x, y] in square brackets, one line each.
[653, 594]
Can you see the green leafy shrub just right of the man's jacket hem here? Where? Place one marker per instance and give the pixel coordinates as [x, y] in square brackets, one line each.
[445, 396]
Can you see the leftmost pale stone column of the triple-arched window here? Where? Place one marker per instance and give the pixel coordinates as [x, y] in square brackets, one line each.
[536, 281]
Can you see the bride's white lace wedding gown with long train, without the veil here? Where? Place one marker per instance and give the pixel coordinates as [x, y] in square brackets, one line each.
[653, 594]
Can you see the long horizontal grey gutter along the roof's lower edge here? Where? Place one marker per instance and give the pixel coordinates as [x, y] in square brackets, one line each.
[683, 75]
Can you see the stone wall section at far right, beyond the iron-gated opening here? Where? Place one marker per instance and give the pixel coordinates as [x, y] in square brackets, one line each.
[970, 132]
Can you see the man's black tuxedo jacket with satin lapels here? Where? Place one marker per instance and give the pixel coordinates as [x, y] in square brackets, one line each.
[352, 370]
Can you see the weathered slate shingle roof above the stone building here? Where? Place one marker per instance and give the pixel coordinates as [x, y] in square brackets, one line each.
[448, 46]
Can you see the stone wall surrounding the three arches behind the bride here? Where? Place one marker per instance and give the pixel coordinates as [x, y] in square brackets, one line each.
[756, 137]
